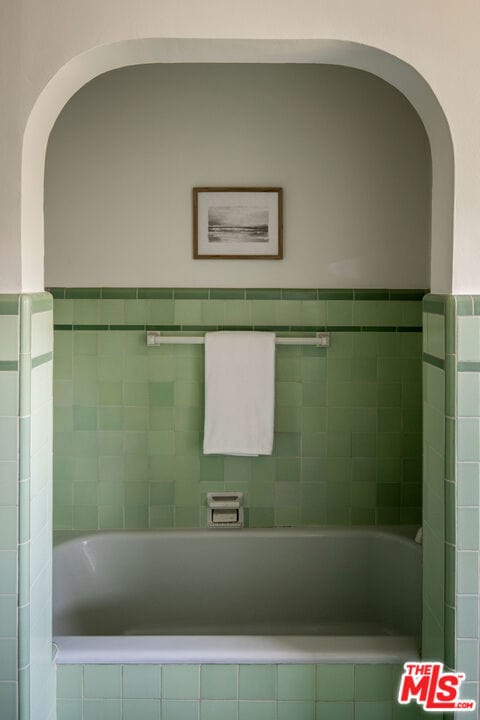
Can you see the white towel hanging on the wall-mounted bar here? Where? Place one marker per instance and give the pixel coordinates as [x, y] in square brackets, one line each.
[239, 393]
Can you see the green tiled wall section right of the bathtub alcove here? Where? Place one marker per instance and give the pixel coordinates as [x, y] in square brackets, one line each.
[451, 484]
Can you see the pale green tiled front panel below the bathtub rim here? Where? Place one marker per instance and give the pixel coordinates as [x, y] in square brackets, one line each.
[239, 692]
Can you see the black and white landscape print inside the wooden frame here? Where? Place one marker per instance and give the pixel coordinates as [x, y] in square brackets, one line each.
[237, 224]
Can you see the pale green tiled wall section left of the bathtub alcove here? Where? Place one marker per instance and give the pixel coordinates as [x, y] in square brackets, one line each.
[27, 688]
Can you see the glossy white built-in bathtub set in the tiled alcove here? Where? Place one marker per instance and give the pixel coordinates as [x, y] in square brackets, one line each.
[243, 596]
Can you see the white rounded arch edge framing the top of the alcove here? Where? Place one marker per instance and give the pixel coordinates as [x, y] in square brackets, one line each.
[84, 67]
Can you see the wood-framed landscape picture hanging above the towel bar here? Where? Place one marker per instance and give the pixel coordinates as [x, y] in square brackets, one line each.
[237, 223]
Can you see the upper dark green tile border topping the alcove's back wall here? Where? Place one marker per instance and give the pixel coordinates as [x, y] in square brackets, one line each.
[237, 294]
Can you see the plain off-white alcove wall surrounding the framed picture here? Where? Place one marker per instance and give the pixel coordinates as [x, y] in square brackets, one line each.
[348, 149]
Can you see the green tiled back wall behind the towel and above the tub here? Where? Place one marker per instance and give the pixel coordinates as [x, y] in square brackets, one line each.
[128, 419]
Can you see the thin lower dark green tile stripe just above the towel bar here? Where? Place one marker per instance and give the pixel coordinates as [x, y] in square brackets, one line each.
[262, 328]
